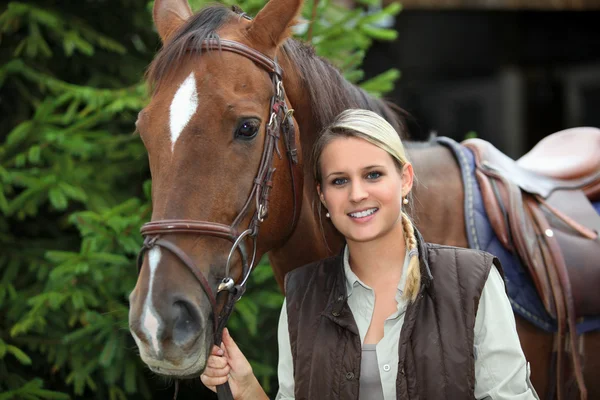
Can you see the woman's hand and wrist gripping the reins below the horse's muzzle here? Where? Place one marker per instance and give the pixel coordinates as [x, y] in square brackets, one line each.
[228, 363]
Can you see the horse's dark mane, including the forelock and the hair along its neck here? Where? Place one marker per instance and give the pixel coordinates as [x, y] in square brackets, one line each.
[330, 93]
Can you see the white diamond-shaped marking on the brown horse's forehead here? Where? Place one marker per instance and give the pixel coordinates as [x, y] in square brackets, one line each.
[183, 107]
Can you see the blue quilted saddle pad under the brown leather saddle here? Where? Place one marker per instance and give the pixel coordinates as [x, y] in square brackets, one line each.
[520, 288]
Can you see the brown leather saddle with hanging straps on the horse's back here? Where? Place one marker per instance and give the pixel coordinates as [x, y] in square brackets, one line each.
[540, 208]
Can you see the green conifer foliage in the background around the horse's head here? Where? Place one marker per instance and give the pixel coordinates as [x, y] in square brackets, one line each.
[74, 191]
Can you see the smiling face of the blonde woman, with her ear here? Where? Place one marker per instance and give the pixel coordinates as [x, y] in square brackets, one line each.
[362, 188]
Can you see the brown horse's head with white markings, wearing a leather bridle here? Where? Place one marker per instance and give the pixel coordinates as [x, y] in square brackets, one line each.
[216, 130]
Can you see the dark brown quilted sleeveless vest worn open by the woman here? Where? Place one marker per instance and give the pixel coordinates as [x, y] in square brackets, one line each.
[436, 358]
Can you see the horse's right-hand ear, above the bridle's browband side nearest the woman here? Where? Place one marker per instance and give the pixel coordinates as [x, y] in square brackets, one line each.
[273, 23]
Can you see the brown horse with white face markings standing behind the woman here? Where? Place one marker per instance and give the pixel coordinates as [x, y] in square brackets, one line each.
[204, 130]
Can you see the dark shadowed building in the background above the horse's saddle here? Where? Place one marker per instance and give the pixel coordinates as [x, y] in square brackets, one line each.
[512, 71]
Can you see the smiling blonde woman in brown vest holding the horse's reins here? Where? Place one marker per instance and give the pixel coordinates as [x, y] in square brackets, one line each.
[391, 316]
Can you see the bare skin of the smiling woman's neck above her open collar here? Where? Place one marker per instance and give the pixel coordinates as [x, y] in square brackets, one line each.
[380, 260]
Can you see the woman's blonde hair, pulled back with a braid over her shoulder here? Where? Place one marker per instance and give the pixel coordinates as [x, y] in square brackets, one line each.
[369, 126]
